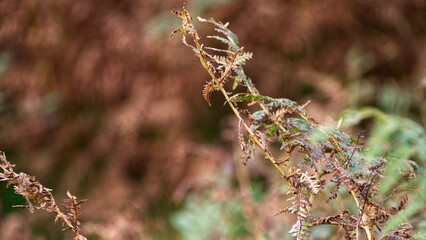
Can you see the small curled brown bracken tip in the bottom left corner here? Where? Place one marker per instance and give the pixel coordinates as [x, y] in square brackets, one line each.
[40, 197]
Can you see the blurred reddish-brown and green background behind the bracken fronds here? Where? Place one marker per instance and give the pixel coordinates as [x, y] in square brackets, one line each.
[96, 98]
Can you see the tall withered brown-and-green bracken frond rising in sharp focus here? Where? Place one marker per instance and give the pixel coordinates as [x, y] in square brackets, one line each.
[285, 122]
